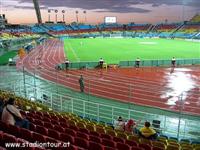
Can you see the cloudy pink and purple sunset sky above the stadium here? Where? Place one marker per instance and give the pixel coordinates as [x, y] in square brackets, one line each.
[138, 11]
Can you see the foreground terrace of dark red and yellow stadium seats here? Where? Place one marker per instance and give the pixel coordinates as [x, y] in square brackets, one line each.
[82, 133]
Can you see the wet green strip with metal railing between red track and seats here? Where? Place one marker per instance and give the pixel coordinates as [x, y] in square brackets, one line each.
[60, 98]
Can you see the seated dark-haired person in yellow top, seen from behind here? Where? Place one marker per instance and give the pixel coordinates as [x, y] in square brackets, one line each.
[147, 132]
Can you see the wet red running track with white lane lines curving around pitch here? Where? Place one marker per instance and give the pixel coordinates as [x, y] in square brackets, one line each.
[157, 87]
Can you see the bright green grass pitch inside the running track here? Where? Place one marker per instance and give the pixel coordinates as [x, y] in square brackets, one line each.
[113, 50]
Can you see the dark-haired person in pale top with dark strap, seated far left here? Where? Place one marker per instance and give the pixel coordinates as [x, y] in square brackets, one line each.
[12, 116]
